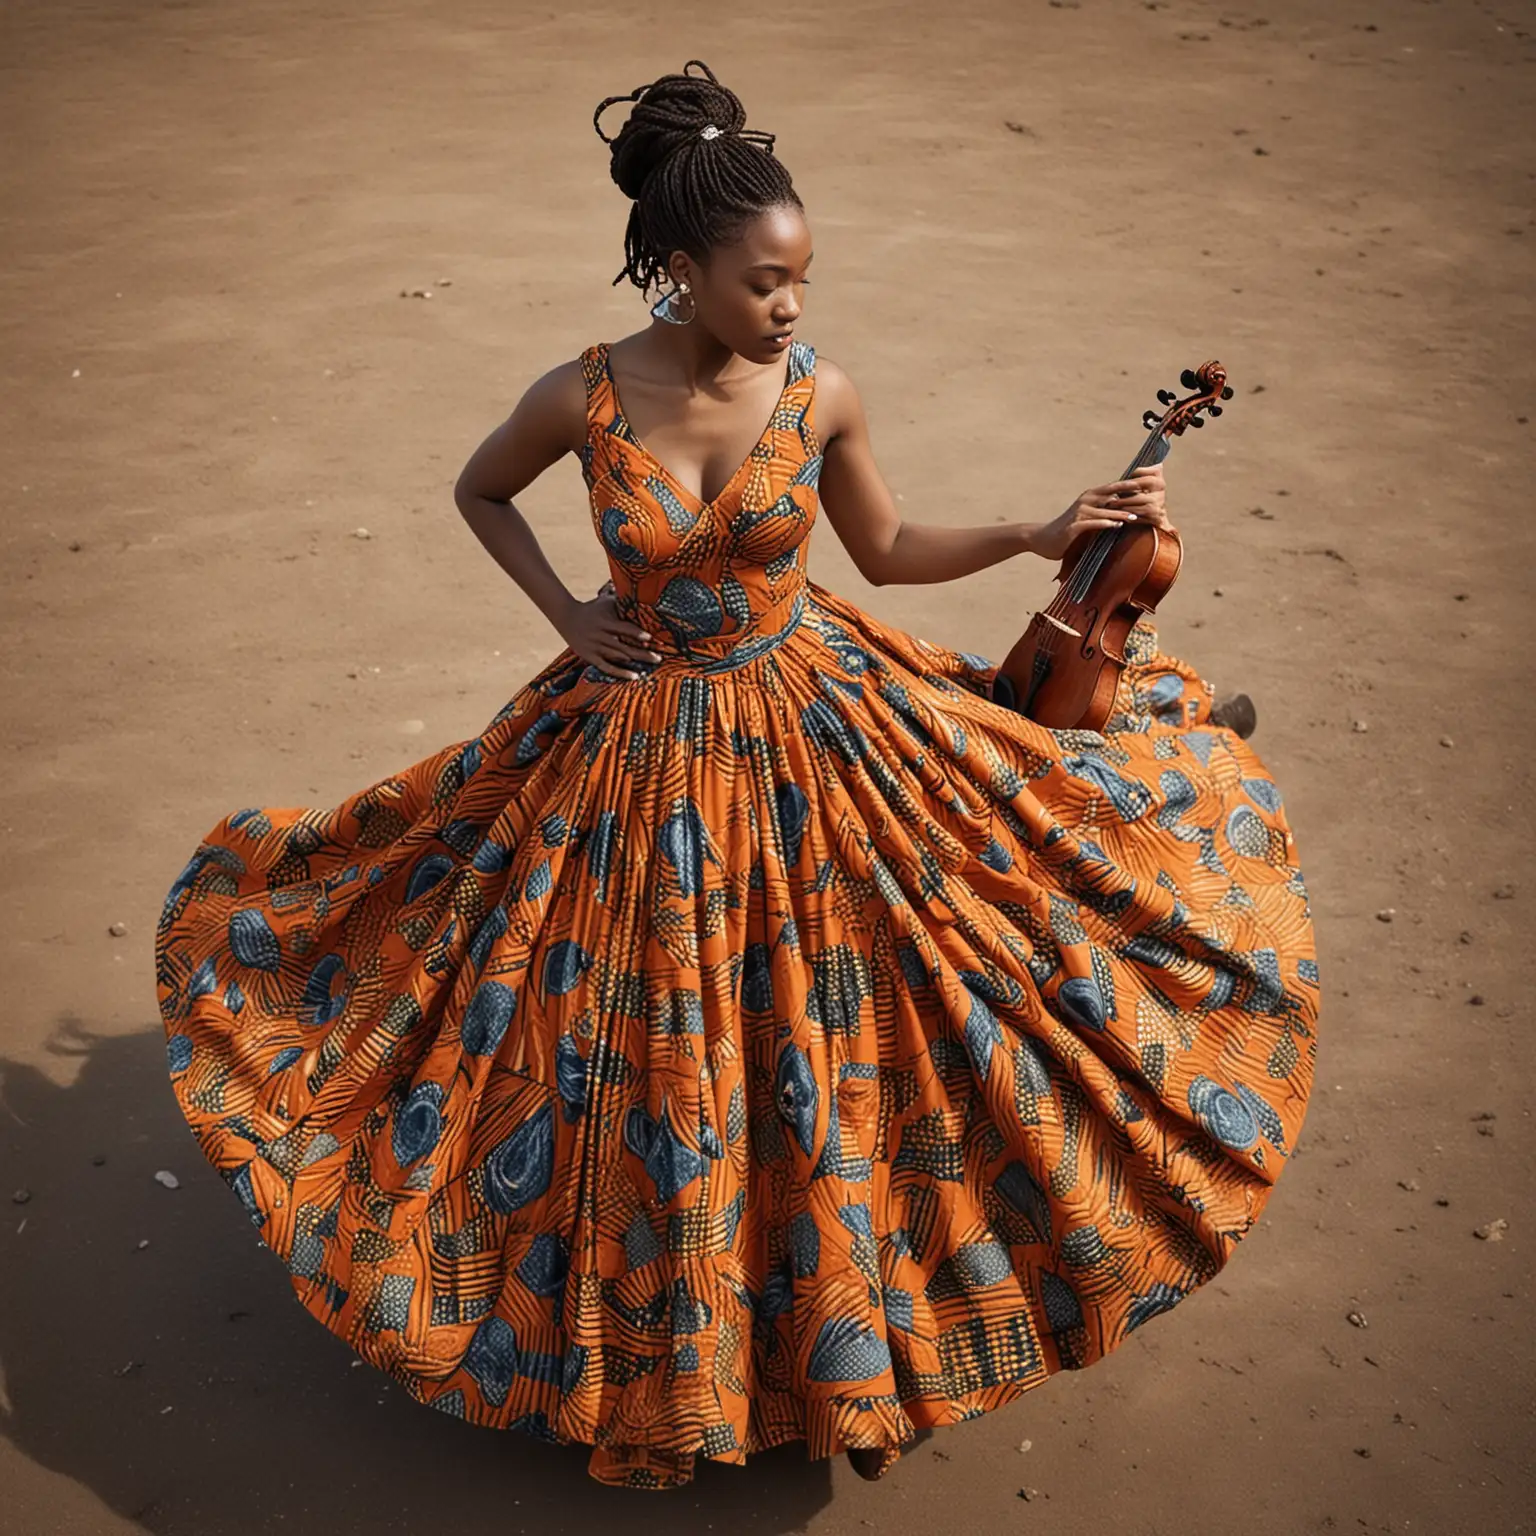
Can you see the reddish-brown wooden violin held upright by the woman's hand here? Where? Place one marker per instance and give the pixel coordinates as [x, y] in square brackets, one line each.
[1065, 670]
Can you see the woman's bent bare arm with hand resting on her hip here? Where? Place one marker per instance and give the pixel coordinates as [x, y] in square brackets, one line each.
[545, 426]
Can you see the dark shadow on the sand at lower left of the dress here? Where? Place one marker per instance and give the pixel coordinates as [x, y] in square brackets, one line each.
[156, 1354]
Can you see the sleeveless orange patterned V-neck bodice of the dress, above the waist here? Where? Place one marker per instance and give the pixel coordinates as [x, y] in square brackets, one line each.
[717, 583]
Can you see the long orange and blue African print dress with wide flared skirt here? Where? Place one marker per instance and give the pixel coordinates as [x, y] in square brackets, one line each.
[787, 1044]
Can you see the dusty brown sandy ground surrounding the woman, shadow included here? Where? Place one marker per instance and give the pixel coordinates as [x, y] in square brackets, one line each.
[1028, 219]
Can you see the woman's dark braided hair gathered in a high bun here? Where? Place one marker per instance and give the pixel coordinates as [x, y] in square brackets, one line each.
[692, 193]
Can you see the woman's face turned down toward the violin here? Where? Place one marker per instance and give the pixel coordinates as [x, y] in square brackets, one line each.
[753, 291]
